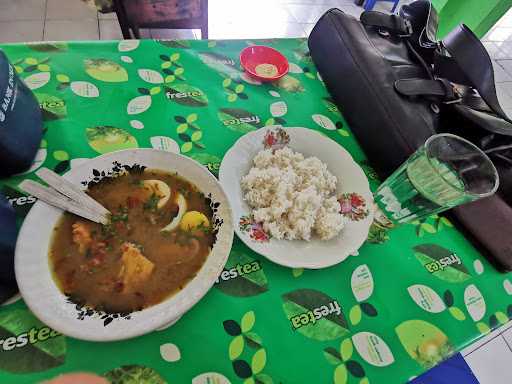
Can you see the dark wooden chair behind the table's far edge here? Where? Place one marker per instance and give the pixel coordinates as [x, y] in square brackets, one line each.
[161, 14]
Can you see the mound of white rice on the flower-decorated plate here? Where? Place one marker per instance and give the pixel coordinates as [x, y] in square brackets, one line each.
[292, 196]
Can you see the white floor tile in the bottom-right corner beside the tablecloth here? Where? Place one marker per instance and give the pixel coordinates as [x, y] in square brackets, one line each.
[492, 363]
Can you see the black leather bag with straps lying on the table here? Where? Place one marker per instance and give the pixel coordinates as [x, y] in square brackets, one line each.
[396, 86]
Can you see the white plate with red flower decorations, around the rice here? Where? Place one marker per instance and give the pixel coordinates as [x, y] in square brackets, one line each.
[353, 191]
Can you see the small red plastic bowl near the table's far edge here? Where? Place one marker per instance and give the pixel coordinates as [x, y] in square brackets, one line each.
[254, 55]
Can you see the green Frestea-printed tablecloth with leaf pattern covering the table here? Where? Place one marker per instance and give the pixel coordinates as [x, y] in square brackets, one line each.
[405, 301]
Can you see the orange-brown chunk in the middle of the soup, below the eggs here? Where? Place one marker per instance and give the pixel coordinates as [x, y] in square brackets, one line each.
[135, 269]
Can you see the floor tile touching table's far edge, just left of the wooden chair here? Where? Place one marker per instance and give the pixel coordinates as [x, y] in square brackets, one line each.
[71, 30]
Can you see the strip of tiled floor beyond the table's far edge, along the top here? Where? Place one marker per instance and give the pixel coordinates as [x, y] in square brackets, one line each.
[33, 20]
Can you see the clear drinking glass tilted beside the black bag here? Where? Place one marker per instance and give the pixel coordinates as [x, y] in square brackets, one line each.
[445, 172]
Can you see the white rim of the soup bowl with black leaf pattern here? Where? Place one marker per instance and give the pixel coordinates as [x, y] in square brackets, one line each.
[49, 304]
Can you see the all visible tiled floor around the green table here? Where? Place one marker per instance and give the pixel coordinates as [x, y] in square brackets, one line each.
[33, 20]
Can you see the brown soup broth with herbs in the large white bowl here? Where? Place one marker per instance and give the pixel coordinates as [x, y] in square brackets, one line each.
[89, 264]
